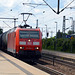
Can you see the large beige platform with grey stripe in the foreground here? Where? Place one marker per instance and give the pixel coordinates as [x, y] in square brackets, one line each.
[12, 66]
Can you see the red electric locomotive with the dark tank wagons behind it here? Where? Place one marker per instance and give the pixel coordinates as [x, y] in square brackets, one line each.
[22, 41]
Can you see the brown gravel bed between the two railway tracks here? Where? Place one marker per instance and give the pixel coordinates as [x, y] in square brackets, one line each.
[59, 67]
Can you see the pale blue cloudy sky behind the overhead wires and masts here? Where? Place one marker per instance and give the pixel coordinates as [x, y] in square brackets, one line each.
[44, 14]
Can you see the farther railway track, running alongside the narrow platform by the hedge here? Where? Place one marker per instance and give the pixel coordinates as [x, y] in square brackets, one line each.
[60, 60]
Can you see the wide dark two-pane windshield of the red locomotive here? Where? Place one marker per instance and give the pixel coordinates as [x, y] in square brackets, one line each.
[29, 34]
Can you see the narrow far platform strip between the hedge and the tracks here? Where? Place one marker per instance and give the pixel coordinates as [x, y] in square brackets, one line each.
[61, 54]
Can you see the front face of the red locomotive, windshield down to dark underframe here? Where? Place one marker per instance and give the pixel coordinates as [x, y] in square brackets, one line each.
[30, 43]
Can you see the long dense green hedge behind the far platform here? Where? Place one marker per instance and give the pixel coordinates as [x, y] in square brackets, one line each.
[65, 45]
